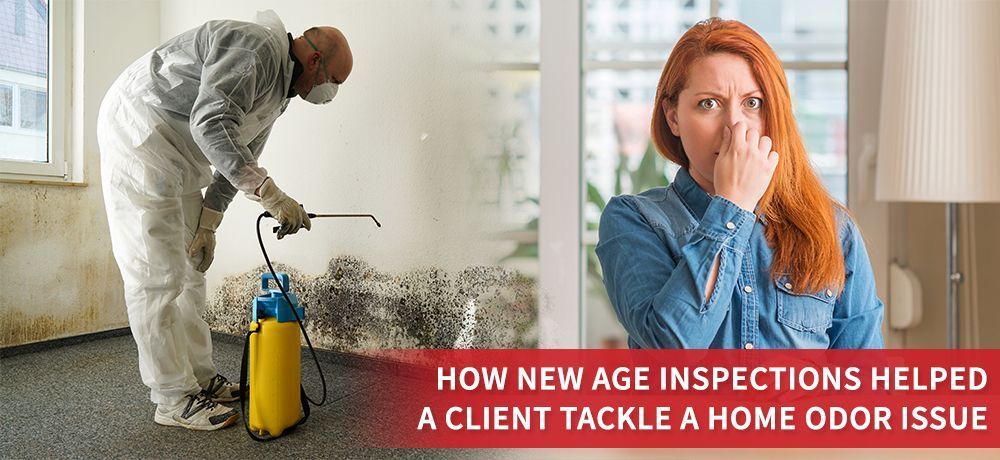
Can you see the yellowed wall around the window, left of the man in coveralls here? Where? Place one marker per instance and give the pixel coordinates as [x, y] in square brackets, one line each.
[55, 250]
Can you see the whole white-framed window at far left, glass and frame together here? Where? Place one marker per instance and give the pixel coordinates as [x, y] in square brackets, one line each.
[33, 114]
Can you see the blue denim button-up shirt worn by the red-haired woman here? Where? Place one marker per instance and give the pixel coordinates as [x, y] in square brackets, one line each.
[657, 250]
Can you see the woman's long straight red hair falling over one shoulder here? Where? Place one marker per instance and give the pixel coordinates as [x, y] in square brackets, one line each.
[801, 217]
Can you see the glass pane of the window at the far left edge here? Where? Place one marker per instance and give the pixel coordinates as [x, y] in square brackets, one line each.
[23, 80]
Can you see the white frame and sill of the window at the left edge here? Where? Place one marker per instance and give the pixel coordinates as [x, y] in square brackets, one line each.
[59, 96]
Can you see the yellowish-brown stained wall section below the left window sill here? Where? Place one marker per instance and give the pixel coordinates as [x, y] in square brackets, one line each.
[55, 252]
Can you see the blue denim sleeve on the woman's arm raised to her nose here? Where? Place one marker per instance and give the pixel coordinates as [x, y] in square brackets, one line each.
[659, 297]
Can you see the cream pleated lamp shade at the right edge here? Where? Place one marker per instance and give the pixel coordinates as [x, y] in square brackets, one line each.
[939, 128]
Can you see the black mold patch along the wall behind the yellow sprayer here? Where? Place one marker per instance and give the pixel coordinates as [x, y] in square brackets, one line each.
[354, 307]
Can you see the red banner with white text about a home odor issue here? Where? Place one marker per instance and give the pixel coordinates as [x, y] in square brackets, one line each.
[680, 398]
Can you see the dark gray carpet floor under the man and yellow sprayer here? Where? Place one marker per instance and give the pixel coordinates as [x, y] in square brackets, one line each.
[86, 400]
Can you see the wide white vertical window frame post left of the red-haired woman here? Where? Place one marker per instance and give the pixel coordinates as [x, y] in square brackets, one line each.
[560, 235]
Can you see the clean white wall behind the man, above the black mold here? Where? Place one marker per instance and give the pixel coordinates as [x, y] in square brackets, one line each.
[399, 141]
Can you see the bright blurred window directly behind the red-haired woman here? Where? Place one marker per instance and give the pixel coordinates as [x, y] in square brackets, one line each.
[620, 75]
